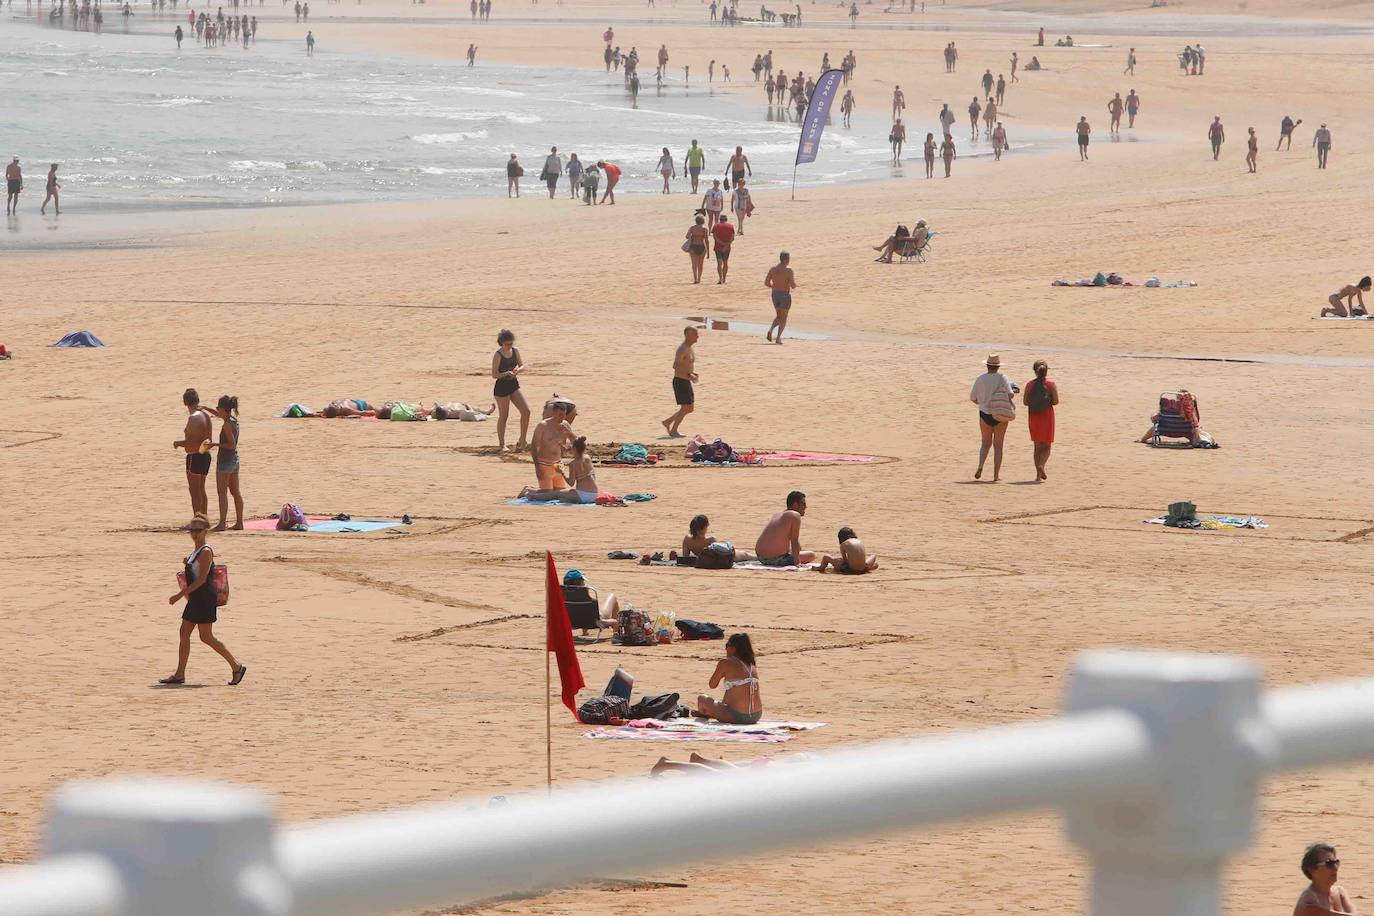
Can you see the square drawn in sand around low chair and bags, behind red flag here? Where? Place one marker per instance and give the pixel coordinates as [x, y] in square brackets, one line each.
[527, 634]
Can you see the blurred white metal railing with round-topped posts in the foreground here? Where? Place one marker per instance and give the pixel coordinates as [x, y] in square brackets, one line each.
[1156, 767]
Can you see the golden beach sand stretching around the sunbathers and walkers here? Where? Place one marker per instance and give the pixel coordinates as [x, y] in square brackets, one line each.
[368, 686]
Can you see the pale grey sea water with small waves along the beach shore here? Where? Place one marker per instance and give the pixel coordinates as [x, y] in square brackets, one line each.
[135, 123]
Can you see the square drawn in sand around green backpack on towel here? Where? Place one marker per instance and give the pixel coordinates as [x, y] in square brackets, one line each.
[1123, 518]
